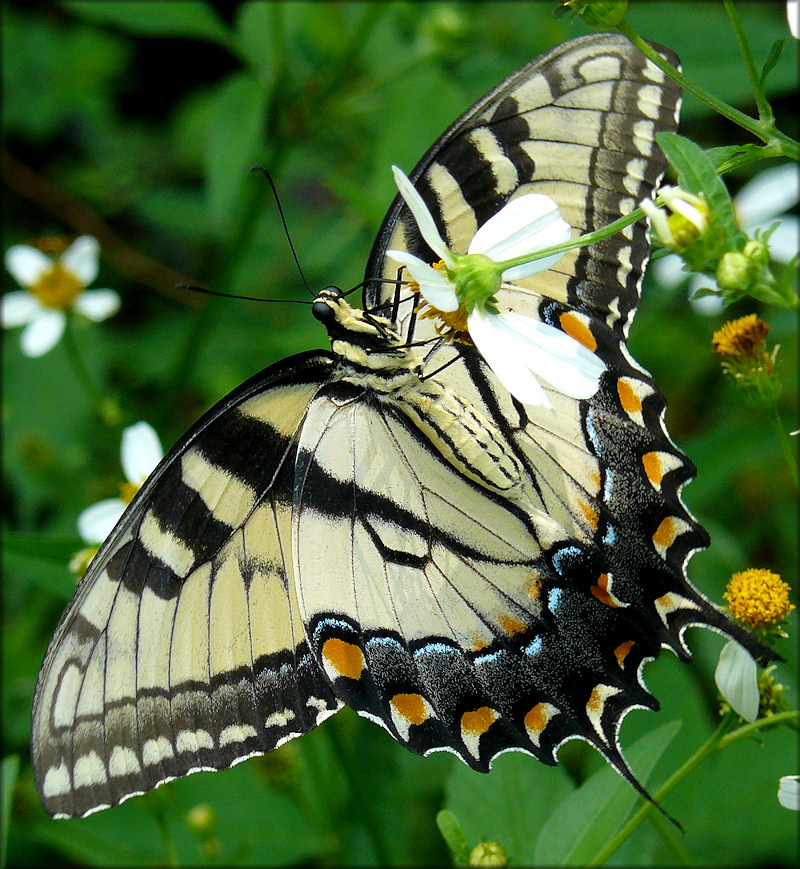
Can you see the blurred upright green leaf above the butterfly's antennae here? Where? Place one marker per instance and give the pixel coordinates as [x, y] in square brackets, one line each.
[235, 137]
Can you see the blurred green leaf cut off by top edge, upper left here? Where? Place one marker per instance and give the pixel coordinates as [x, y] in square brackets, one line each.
[164, 18]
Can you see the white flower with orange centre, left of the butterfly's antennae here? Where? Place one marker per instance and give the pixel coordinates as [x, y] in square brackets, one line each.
[53, 286]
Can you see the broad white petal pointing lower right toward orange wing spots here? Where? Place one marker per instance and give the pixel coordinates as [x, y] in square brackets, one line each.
[552, 355]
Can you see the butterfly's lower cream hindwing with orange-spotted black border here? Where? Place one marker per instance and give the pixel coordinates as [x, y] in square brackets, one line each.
[434, 606]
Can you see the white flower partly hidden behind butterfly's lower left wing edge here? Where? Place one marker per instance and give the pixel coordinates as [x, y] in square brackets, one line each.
[140, 453]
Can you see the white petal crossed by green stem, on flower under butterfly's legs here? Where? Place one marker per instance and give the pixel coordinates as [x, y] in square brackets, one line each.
[523, 226]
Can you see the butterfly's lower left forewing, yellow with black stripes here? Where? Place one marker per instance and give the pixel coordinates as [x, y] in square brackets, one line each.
[183, 648]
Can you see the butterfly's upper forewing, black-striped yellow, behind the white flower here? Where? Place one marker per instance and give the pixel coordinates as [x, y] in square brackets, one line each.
[577, 124]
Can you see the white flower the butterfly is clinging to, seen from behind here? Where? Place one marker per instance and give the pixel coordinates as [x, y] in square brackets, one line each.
[520, 350]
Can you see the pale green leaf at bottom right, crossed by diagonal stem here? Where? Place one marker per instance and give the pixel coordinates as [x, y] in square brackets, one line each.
[595, 812]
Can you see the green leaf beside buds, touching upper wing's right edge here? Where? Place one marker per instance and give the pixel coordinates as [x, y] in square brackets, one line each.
[696, 174]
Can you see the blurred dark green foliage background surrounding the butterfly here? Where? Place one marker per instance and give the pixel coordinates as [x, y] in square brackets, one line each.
[138, 123]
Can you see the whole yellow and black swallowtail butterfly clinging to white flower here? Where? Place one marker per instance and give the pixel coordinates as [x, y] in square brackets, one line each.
[389, 530]
